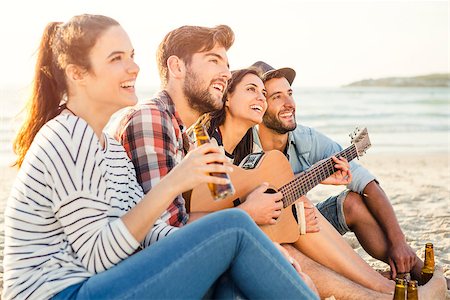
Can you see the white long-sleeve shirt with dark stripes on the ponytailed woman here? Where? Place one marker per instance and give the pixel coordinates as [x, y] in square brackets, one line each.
[62, 219]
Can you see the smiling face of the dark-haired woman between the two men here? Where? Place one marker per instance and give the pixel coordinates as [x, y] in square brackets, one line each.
[247, 102]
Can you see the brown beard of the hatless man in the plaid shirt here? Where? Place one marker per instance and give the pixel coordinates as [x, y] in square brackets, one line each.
[199, 99]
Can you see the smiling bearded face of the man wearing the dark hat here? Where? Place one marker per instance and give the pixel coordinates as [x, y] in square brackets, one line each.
[280, 114]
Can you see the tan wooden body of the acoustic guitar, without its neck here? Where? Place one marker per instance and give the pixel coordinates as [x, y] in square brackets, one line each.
[274, 168]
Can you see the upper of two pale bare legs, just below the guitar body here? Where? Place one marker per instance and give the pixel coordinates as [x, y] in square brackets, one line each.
[328, 248]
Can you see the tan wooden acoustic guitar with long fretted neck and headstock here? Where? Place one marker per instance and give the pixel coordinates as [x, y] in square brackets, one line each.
[274, 168]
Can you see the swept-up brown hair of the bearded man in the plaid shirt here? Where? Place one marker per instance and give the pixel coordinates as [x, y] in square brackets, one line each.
[185, 41]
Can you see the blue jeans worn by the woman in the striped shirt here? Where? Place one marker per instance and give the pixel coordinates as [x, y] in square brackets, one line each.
[187, 263]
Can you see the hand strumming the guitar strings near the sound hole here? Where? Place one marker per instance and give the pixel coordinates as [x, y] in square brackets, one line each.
[263, 208]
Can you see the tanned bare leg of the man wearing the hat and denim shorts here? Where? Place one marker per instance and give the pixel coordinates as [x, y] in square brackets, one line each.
[368, 231]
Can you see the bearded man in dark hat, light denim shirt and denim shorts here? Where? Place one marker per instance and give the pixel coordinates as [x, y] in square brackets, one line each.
[363, 207]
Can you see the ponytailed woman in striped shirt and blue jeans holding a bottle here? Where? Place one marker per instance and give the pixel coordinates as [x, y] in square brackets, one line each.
[77, 223]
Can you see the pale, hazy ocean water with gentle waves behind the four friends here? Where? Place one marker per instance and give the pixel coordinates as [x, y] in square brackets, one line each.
[397, 119]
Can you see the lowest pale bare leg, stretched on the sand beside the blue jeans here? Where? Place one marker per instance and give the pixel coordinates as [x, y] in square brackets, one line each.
[331, 283]
